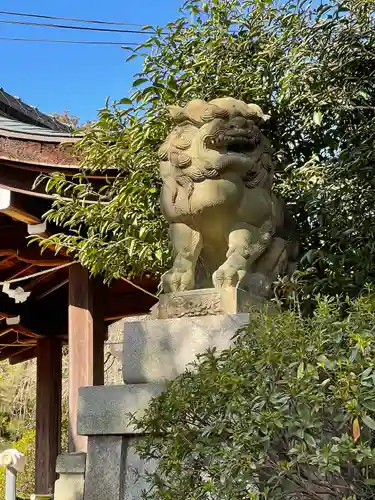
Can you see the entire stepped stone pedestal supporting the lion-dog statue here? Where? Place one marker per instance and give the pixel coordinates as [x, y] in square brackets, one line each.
[152, 352]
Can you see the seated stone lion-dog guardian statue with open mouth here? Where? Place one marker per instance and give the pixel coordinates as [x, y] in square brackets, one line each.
[227, 228]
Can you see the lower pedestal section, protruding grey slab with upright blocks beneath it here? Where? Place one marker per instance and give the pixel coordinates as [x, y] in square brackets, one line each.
[104, 414]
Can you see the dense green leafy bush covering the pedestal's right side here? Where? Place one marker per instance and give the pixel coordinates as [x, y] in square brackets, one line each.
[286, 413]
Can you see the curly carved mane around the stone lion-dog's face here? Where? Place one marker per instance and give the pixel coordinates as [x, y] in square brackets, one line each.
[185, 147]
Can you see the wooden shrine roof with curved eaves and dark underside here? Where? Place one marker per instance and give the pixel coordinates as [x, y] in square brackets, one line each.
[25, 151]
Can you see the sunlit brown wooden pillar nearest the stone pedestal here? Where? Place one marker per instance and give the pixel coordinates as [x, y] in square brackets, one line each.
[86, 344]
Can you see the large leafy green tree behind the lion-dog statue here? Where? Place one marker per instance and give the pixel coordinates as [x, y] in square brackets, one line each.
[311, 68]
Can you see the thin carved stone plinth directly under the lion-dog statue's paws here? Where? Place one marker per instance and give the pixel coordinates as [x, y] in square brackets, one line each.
[207, 301]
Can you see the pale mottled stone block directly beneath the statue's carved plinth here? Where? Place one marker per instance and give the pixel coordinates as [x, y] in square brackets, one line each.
[160, 350]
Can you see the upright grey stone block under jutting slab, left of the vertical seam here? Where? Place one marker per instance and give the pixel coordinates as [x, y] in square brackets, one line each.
[105, 468]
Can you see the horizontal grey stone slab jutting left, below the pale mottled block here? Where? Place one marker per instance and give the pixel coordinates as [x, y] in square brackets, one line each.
[105, 410]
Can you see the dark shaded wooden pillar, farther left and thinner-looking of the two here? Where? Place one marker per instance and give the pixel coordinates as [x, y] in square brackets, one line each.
[48, 413]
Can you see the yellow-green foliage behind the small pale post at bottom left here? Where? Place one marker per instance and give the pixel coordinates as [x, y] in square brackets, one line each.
[25, 480]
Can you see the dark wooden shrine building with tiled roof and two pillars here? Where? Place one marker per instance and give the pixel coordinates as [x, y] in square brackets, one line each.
[63, 306]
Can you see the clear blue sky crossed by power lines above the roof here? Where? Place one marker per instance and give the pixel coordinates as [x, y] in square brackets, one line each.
[57, 77]
